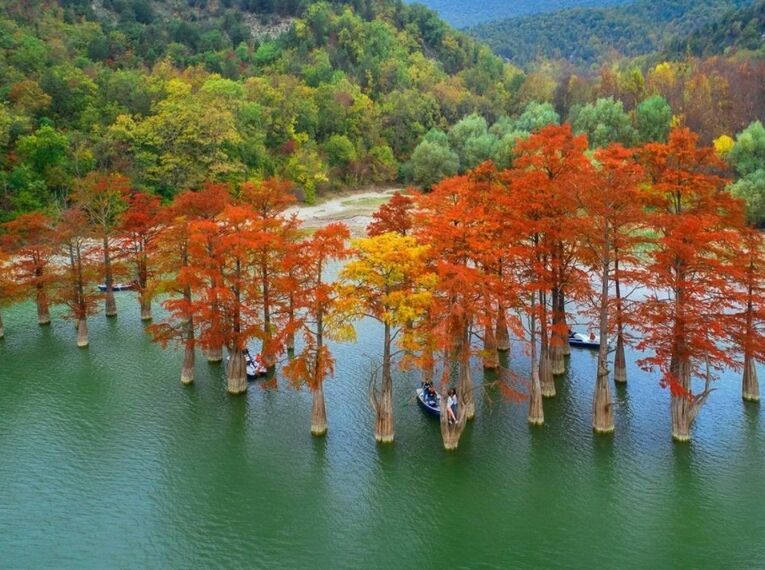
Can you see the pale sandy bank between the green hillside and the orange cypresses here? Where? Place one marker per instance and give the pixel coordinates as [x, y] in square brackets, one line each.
[354, 209]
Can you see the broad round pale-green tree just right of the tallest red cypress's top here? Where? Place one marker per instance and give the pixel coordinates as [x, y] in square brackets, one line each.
[604, 122]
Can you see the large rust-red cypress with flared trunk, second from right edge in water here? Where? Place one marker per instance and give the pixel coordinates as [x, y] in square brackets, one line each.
[688, 273]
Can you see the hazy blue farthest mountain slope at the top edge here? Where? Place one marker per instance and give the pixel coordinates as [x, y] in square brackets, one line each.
[461, 13]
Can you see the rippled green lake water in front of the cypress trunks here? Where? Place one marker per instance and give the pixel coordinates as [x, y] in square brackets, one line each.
[106, 461]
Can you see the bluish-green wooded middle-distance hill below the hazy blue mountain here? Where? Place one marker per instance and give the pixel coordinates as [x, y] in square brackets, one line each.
[594, 35]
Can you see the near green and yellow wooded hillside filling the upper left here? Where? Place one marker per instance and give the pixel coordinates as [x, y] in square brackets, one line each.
[176, 93]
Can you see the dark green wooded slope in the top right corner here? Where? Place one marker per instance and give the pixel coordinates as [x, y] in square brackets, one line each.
[742, 29]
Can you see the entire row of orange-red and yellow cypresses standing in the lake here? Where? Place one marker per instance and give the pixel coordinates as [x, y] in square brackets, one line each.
[491, 257]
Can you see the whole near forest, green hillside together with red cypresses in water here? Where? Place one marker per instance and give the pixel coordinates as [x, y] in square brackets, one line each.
[163, 145]
